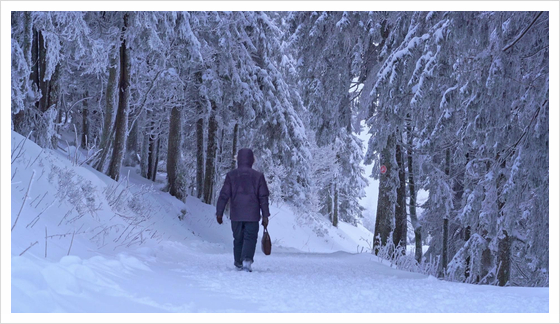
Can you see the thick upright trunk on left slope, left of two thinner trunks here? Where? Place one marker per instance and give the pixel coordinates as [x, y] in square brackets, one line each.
[173, 153]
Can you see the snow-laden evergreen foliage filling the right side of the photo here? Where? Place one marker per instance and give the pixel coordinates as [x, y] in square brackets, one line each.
[474, 88]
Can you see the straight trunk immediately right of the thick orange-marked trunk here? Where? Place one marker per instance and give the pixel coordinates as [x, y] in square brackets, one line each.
[400, 233]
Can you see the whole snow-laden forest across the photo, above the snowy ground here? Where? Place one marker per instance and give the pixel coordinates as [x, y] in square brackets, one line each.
[456, 103]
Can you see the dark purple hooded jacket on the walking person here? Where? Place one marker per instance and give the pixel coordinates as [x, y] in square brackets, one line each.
[247, 190]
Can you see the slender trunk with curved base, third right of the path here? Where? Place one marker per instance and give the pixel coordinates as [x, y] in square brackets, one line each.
[412, 194]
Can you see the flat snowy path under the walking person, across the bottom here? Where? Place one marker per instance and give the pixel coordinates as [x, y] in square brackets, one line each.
[178, 279]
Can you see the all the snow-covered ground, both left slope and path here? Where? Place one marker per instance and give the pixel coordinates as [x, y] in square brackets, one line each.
[83, 243]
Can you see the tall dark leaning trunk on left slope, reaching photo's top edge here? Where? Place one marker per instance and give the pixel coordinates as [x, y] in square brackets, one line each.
[121, 122]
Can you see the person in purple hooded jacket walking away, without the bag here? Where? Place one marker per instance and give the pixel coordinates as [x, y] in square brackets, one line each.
[248, 192]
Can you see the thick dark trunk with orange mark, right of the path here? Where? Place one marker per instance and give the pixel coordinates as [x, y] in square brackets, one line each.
[385, 206]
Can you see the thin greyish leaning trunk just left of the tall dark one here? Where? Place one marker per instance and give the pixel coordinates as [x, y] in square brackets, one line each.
[107, 133]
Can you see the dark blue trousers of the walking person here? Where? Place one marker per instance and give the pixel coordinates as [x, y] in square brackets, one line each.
[245, 236]
